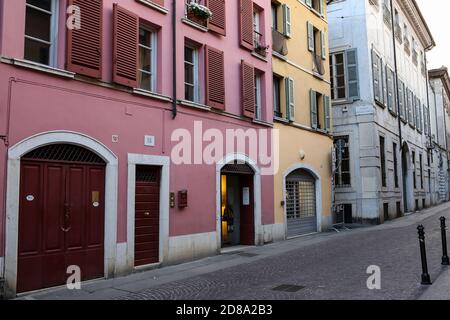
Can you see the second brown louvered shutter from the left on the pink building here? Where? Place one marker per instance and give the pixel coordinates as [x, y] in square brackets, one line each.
[126, 47]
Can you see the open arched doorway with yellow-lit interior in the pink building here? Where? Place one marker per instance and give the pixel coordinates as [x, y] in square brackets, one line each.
[237, 205]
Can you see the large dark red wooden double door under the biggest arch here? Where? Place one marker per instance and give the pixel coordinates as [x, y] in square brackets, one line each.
[61, 222]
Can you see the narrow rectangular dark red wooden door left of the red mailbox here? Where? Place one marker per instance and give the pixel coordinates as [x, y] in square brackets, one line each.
[147, 215]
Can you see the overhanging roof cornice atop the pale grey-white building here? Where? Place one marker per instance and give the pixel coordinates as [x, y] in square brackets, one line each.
[417, 21]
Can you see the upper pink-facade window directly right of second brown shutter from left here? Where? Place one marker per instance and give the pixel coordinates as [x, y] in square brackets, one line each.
[147, 59]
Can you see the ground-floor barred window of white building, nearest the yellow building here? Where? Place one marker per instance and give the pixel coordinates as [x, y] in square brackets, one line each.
[342, 176]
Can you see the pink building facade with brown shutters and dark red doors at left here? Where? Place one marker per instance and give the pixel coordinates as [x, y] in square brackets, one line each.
[101, 167]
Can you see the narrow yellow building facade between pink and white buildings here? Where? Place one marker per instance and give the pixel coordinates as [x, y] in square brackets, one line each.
[301, 73]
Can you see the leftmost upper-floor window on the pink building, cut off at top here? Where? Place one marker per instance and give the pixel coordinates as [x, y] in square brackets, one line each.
[40, 31]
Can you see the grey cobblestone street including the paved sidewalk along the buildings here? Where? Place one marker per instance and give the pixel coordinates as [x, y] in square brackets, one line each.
[328, 266]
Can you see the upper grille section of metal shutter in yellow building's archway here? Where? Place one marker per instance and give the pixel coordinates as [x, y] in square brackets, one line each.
[301, 199]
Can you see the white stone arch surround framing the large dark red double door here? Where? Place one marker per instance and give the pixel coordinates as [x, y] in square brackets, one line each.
[16, 154]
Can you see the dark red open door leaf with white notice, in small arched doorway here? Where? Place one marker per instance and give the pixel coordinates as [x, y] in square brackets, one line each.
[247, 216]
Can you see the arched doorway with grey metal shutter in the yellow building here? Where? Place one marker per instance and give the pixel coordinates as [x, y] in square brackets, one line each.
[301, 203]
